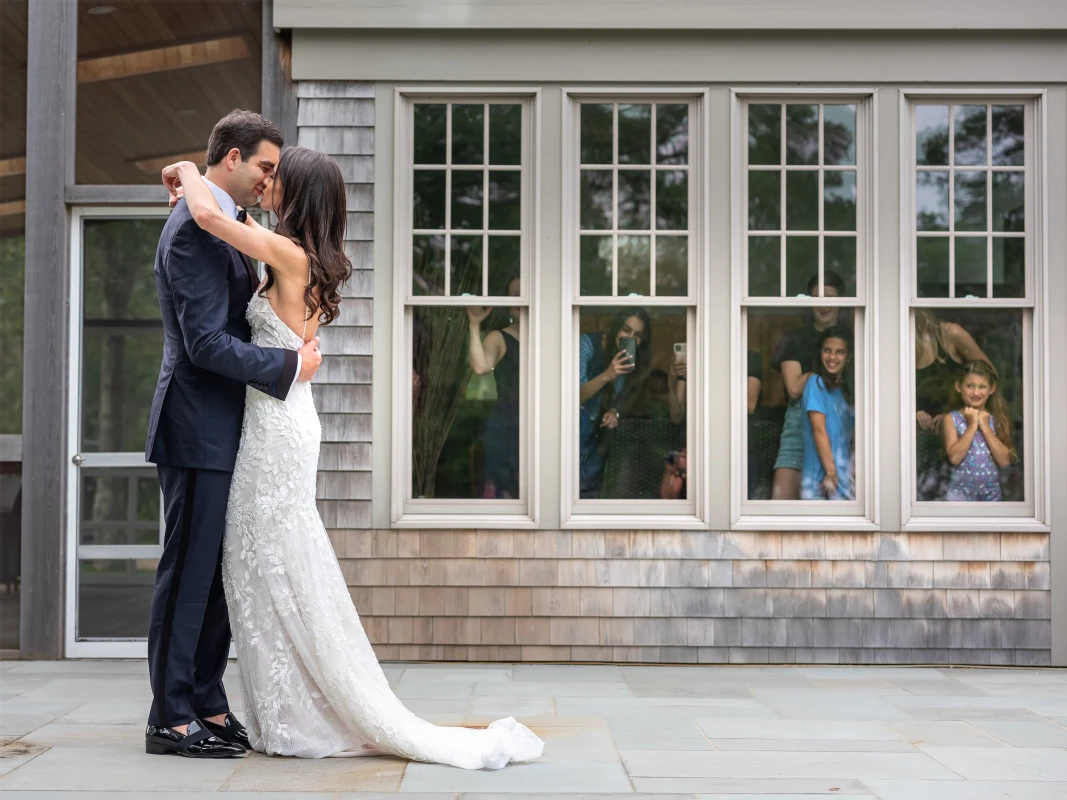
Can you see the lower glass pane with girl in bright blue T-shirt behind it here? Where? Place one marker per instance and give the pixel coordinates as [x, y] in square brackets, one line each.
[801, 364]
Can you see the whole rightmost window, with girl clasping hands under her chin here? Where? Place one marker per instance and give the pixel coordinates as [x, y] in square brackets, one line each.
[973, 210]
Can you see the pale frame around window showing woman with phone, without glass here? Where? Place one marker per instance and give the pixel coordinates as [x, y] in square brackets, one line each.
[692, 514]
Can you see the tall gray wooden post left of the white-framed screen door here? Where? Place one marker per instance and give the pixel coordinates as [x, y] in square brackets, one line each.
[52, 86]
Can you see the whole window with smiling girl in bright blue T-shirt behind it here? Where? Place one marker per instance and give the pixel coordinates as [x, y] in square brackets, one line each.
[803, 262]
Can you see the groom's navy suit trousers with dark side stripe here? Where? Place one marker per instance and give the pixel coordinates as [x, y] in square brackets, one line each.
[189, 633]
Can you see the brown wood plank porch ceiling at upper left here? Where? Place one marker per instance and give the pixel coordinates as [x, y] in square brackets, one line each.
[154, 78]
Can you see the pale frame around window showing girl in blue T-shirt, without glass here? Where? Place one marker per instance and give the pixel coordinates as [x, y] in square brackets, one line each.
[862, 515]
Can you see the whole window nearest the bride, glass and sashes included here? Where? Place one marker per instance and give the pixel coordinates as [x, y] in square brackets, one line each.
[465, 215]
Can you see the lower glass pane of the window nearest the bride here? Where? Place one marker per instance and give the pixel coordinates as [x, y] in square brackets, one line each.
[465, 426]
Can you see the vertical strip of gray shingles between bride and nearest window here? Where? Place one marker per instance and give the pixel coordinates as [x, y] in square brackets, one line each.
[338, 118]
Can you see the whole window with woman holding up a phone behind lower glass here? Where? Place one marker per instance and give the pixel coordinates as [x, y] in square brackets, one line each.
[633, 263]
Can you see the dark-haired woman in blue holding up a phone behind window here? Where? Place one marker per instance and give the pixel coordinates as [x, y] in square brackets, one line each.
[609, 364]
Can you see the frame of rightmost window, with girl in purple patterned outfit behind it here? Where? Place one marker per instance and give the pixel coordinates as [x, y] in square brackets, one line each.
[1034, 514]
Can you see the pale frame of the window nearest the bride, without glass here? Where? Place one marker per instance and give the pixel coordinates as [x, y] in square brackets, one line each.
[406, 511]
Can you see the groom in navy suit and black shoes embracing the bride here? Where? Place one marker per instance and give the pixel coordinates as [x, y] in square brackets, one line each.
[195, 428]
